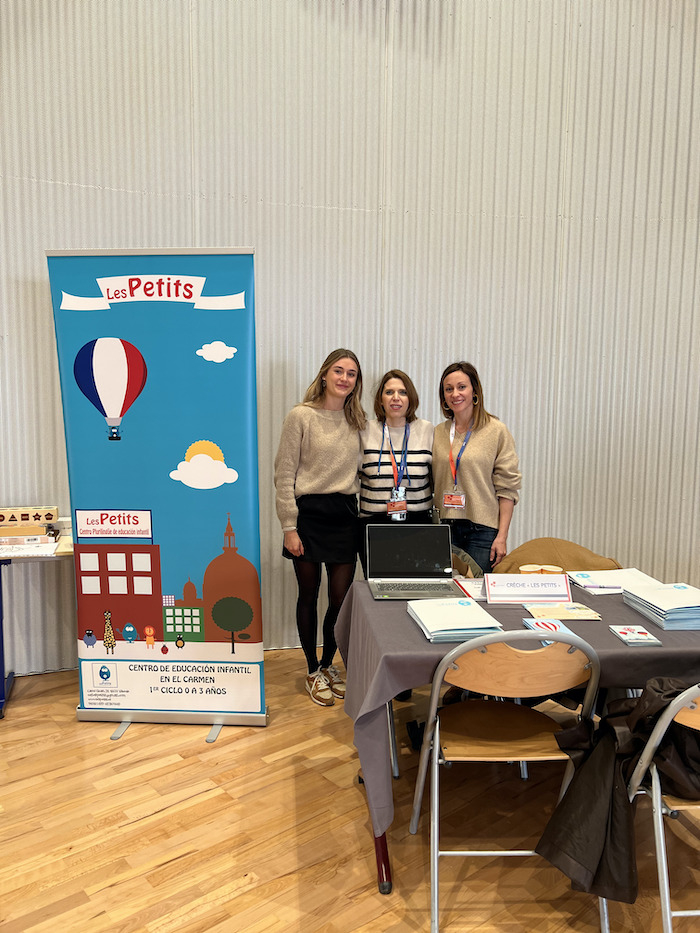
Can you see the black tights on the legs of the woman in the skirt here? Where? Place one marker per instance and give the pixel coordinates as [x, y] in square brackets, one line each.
[309, 580]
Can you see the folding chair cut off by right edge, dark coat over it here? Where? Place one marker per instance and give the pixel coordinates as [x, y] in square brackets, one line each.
[685, 709]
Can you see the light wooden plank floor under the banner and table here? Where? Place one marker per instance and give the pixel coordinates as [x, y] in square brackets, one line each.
[267, 829]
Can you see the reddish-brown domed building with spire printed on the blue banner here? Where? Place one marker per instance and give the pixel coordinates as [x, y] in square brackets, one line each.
[228, 576]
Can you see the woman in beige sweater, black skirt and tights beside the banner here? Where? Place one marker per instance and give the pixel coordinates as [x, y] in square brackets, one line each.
[316, 485]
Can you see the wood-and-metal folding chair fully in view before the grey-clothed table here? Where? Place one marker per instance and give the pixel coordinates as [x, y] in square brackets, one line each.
[506, 664]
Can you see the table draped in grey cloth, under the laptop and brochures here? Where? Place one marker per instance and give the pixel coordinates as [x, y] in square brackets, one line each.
[385, 652]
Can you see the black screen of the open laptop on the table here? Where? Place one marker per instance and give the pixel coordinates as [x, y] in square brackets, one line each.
[403, 551]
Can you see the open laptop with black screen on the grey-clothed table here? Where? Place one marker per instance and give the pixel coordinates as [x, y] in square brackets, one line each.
[410, 561]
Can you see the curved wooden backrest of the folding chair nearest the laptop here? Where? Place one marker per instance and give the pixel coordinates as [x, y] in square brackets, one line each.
[517, 664]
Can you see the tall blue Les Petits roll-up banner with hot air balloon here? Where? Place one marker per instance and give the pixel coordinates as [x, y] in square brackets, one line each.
[156, 353]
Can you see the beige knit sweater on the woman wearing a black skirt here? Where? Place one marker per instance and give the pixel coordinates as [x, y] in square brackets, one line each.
[319, 453]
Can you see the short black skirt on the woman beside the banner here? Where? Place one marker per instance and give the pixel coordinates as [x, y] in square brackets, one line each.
[328, 528]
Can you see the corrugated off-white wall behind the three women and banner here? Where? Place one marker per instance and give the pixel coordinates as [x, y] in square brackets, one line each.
[515, 183]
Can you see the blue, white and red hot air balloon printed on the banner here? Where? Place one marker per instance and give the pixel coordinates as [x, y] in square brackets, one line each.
[110, 373]
